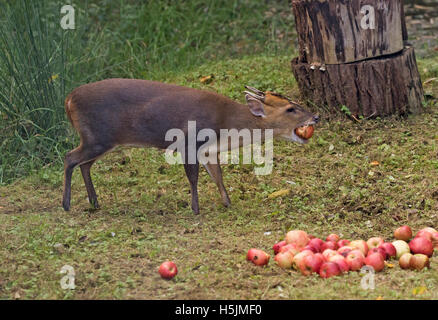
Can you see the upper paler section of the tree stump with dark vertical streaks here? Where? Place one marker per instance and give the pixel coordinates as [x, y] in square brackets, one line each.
[330, 32]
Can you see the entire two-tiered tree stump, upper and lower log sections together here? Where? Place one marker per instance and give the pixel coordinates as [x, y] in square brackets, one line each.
[352, 55]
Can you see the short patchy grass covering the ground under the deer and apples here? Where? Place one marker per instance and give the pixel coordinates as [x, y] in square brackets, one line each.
[146, 217]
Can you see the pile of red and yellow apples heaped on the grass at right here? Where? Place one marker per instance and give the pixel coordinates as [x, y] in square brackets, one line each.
[336, 256]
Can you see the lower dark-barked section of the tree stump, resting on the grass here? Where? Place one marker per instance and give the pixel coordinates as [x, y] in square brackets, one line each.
[375, 87]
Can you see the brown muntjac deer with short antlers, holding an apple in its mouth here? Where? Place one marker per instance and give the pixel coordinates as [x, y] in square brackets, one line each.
[116, 112]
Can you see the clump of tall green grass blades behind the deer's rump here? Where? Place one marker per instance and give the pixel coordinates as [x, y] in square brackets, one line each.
[39, 64]
